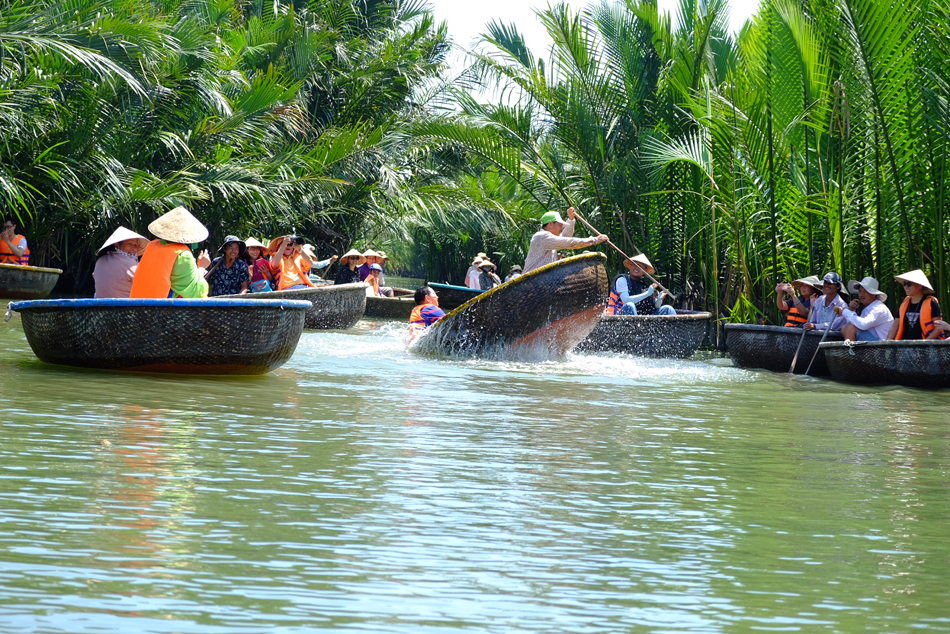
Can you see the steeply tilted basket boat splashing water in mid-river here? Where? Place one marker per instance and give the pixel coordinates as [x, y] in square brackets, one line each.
[542, 314]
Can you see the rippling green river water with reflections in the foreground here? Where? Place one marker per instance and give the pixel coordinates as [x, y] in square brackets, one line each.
[362, 488]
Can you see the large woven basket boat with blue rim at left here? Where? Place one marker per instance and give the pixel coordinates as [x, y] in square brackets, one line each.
[184, 336]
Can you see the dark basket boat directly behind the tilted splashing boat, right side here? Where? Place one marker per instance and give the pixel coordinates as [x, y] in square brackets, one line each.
[649, 335]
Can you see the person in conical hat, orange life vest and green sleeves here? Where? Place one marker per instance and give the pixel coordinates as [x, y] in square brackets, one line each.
[168, 268]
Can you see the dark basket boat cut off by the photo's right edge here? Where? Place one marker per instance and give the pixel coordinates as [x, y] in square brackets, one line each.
[915, 363]
